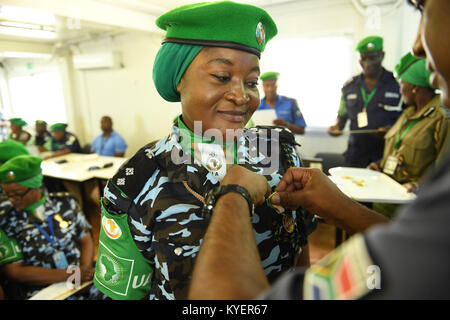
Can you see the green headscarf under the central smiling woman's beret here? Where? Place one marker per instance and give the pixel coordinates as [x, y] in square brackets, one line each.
[171, 62]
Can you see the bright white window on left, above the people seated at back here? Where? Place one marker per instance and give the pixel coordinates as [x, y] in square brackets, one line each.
[38, 97]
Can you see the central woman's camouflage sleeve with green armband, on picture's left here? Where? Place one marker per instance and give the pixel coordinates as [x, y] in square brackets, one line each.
[122, 270]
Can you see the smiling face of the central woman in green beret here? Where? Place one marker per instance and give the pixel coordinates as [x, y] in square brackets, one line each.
[219, 88]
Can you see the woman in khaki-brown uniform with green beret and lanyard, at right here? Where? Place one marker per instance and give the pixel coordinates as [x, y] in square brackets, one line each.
[416, 141]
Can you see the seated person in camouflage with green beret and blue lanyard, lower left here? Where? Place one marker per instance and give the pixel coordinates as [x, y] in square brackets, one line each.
[49, 231]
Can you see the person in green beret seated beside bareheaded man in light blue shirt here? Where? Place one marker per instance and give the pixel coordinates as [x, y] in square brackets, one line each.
[62, 141]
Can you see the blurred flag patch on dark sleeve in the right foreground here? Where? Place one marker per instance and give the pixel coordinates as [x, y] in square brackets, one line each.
[344, 274]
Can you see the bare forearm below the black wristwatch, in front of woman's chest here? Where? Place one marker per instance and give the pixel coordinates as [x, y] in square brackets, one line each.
[228, 265]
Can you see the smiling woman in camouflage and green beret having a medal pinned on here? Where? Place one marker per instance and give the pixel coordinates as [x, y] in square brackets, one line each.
[157, 207]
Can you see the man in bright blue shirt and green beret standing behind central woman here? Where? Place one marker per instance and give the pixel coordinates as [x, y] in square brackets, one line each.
[287, 110]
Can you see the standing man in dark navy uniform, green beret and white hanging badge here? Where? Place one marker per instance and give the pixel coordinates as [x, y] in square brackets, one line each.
[371, 101]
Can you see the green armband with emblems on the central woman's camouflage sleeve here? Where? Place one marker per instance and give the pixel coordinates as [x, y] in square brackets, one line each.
[121, 271]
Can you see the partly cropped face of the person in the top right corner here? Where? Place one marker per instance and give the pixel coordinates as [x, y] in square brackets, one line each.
[433, 42]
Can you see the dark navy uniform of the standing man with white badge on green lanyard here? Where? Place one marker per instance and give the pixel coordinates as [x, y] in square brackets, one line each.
[383, 110]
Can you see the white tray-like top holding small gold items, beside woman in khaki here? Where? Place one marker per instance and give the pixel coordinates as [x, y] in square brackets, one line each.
[366, 185]
